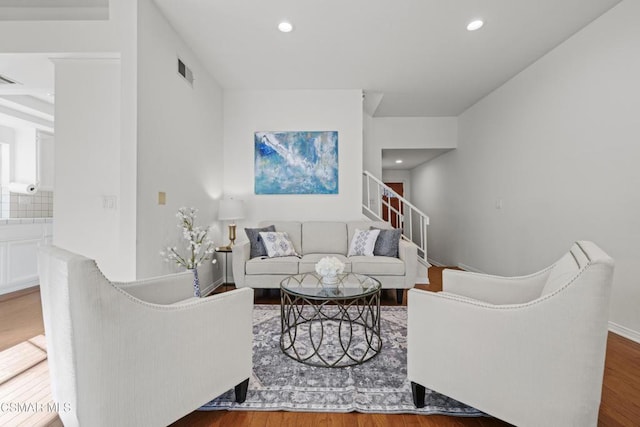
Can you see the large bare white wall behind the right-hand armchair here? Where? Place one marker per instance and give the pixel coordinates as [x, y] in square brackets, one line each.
[558, 144]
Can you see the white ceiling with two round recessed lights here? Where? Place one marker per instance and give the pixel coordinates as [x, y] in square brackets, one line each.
[416, 53]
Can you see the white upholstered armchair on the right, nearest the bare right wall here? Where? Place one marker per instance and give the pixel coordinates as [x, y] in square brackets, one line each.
[528, 350]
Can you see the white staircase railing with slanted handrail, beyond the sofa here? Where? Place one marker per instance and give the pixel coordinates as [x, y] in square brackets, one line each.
[381, 203]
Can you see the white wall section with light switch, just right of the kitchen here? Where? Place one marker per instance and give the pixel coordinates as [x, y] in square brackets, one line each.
[87, 162]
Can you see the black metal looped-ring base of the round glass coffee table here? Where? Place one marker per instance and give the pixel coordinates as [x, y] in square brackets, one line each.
[331, 333]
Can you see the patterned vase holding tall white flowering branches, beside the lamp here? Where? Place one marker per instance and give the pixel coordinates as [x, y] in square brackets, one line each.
[199, 248]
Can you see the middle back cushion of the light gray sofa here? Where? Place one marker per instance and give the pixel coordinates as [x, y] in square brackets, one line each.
[324, 238]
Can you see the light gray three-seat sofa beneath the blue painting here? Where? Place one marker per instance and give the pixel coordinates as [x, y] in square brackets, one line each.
[316, 239]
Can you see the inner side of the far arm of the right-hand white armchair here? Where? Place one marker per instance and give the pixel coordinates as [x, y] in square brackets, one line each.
[494, 289]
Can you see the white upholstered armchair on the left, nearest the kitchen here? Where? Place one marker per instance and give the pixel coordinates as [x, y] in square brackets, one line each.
[118, 360]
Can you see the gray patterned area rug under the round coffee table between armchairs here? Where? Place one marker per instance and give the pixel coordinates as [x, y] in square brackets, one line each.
[377, 386]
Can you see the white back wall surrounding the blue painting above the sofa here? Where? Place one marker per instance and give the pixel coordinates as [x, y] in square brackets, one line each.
[246, 112]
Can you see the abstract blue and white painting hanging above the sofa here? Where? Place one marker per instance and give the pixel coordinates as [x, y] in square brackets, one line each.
[296, 162]
